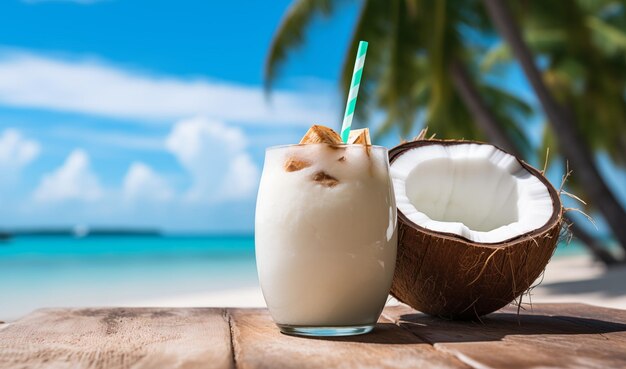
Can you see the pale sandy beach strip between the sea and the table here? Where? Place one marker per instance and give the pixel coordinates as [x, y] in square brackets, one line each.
[567, 279]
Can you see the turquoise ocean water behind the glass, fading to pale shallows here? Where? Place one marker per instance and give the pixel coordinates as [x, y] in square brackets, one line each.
[40, 271]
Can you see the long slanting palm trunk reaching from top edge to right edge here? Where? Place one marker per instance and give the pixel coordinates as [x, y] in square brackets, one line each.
[562, 120]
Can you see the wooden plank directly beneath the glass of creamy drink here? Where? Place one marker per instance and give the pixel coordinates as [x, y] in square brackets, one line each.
[258, 344]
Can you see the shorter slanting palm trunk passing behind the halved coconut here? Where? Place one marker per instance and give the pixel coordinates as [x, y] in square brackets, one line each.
[490, 126]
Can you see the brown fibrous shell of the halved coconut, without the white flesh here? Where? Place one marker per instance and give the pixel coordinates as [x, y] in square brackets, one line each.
[449, 276]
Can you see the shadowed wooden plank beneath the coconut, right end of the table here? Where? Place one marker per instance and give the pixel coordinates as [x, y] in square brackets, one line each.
[506, 340]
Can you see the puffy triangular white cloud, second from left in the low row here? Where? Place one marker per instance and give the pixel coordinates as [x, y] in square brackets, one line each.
[74, 180]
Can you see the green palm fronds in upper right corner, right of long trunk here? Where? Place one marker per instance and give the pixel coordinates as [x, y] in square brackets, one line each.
[583, 44]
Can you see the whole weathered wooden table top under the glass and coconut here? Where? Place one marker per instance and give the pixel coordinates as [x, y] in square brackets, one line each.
[552, 335]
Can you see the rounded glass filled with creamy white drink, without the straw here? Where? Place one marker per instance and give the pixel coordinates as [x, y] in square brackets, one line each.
[325, 236]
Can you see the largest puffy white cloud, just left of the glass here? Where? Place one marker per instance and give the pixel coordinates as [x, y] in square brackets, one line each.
[215, 155]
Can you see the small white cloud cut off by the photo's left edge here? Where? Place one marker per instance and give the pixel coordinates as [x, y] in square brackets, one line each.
[16, 151]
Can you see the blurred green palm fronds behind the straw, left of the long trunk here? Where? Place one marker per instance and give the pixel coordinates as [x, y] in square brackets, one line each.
[421, 65]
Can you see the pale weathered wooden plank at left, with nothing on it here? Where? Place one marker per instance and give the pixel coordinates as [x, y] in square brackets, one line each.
[118, 338]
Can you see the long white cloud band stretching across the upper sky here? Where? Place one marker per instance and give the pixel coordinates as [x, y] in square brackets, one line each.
[92, 87]
